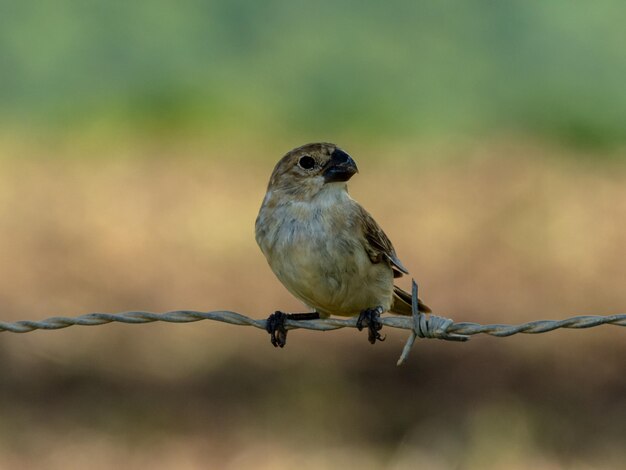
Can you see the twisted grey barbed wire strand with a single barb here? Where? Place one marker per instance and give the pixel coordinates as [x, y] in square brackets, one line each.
[420, 325]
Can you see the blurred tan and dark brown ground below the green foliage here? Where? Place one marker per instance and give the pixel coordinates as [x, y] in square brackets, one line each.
[501, 233]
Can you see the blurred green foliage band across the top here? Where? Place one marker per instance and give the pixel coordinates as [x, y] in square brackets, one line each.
[396, 69]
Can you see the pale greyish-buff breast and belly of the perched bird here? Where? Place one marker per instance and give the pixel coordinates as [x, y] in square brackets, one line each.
[317, 253]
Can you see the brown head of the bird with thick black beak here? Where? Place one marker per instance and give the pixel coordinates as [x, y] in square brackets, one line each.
[305, 171]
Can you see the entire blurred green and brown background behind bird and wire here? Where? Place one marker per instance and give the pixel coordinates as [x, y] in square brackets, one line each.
[136, 140]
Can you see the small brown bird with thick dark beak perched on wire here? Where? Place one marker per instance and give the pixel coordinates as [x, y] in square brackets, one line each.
[324, 247]
